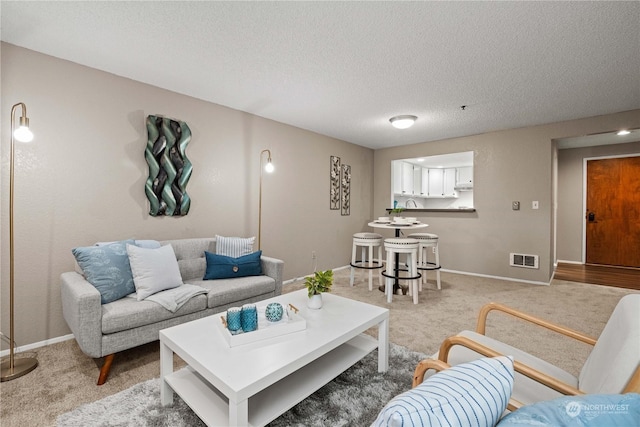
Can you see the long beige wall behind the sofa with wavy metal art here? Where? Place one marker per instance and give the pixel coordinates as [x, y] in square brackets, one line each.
[82, 180]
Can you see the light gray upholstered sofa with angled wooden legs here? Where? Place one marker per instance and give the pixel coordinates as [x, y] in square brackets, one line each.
[103, 330]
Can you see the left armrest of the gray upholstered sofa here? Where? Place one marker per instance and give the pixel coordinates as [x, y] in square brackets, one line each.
[82, 311]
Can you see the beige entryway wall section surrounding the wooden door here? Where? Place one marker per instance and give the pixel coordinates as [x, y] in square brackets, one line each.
[570, 195]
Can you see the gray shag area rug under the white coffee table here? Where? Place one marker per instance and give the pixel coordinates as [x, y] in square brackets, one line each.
[352, 399]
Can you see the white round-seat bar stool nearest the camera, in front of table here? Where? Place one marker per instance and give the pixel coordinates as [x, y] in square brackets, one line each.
[395, 247]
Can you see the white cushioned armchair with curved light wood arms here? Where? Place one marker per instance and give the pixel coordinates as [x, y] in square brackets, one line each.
[613, 365]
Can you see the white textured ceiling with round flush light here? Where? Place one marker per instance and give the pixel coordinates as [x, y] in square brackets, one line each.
[344, 68]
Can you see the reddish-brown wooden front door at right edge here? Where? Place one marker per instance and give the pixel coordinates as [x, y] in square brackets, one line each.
[613, 212]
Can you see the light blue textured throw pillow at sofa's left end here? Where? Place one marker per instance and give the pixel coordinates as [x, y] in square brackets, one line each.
[107, 268]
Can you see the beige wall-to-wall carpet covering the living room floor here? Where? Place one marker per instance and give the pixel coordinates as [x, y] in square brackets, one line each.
[66, 378]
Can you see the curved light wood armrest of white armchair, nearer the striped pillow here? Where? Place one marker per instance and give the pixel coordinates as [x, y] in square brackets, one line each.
[520, 367]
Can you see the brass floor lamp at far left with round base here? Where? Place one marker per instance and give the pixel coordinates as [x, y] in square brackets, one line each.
[12, 368]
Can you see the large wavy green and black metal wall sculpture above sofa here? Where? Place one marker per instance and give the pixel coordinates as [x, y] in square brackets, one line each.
[169, 167]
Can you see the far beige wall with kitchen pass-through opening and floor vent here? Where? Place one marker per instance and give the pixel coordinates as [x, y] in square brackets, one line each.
[510, 165]
